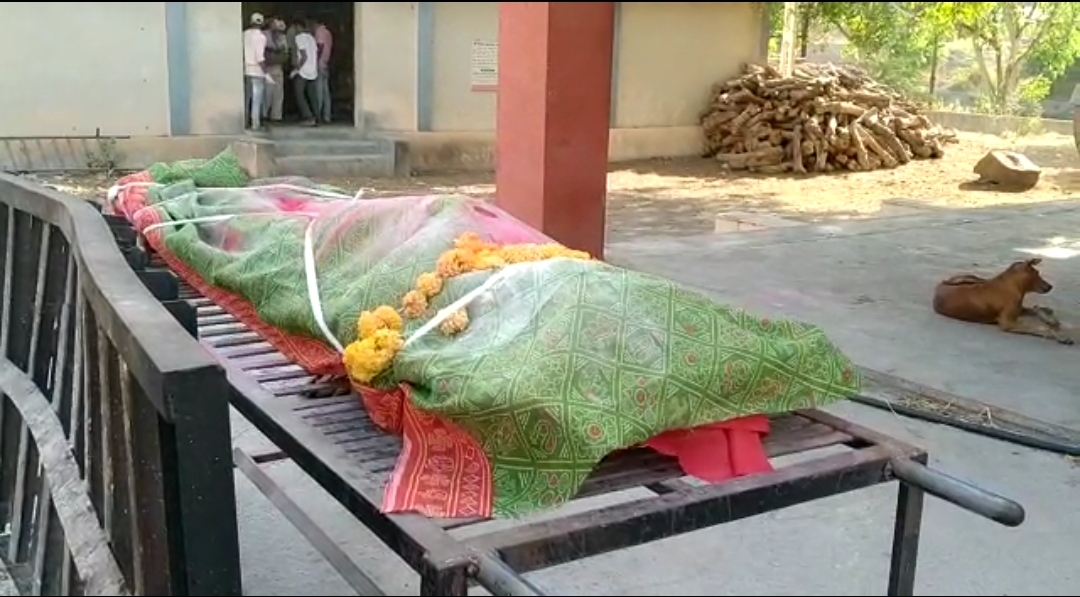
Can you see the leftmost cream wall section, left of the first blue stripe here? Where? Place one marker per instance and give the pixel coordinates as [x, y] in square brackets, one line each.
[75, 69]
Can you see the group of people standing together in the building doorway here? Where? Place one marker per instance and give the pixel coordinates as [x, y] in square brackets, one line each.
[276, 56]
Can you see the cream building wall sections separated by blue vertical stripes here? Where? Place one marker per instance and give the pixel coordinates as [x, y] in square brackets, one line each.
[110, 70]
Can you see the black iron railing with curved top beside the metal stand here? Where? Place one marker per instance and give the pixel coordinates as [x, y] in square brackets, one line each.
[116, 471]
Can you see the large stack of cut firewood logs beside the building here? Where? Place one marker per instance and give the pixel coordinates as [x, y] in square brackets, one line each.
[823, 118]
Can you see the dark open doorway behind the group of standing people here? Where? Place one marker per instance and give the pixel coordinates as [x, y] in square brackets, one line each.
[340, 19]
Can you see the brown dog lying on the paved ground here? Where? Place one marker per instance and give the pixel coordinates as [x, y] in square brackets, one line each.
[1001, 301]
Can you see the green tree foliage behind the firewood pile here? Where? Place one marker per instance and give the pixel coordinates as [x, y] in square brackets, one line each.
[1019, 48]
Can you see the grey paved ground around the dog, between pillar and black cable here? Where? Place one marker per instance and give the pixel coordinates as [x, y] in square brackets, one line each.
[870, 286]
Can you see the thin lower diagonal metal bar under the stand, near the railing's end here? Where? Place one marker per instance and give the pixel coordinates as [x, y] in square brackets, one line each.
[337, 559]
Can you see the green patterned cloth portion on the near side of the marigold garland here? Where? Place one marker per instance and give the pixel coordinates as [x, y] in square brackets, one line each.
[569, 361]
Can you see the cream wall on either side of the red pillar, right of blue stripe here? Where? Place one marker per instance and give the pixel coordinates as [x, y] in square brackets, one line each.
[669, 57]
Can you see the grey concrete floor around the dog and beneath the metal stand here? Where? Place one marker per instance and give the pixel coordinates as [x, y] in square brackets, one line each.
[869, 284]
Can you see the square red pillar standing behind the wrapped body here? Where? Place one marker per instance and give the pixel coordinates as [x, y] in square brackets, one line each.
[553, 115]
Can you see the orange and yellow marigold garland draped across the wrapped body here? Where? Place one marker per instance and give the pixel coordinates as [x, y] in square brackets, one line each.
[380, 332]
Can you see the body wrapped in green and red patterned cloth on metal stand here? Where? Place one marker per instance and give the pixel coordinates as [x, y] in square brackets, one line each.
[563, 362]
